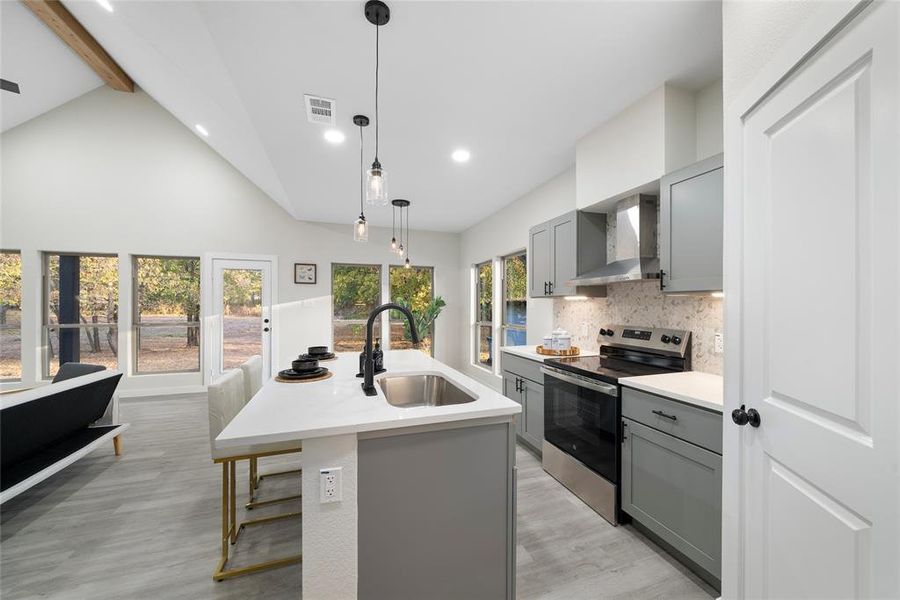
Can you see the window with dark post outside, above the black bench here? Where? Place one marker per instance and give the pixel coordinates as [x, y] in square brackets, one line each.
[81, 305]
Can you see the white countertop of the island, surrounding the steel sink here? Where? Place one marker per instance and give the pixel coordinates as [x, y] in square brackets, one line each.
[282, 412]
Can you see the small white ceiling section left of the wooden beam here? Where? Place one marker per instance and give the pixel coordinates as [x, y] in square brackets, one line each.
[48, 72]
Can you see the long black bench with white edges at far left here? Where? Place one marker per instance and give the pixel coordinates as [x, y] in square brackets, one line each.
[44, 430]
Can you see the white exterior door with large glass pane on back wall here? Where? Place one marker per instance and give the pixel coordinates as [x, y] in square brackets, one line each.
[241, 316]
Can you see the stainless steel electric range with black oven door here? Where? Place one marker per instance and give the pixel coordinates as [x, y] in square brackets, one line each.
[583, 408]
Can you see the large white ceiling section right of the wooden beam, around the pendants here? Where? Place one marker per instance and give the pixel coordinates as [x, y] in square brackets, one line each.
[516, 83]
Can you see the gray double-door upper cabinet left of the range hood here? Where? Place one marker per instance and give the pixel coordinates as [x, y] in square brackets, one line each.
[561, 249]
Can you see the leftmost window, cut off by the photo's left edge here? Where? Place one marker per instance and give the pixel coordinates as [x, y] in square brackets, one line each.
[10, 316]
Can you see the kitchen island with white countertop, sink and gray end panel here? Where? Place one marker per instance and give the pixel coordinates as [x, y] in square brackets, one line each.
[425, 505]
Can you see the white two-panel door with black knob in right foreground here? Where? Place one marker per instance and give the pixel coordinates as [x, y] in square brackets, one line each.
[814, 325]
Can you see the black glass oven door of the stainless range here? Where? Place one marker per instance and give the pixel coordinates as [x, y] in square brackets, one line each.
[581, 418]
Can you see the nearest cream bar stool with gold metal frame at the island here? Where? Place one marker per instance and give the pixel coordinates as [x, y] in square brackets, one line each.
[225, 400]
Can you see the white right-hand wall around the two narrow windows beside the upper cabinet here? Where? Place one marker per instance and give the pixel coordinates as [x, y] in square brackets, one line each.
[502, 233]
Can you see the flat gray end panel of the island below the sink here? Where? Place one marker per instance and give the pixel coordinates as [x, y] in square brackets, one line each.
[437, 513]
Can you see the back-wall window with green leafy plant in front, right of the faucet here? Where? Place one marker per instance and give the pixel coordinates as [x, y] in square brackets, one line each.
[414, 288]
